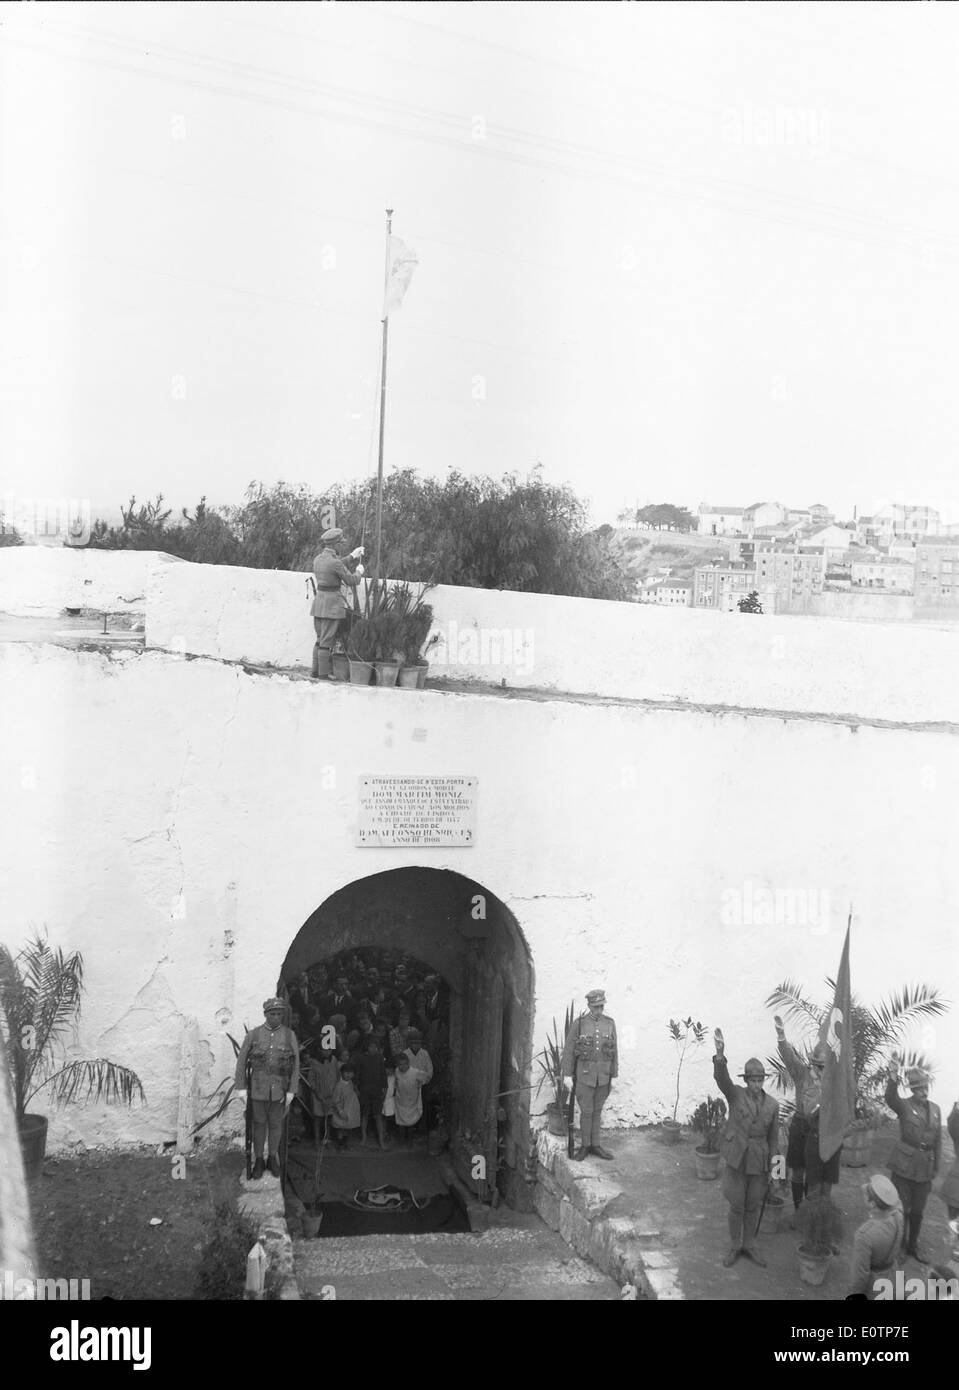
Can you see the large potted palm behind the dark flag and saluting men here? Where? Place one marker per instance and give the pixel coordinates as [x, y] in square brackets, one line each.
[876, 1032]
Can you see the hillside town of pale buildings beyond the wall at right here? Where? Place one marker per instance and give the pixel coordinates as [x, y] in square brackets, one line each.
[899, 565]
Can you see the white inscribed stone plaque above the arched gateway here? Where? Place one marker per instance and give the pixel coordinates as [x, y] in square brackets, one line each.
[418, 812]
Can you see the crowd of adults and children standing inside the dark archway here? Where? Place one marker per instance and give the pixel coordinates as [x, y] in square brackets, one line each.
[375, 1036]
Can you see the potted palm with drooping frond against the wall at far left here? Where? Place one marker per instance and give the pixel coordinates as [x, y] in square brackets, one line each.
[41, 1001]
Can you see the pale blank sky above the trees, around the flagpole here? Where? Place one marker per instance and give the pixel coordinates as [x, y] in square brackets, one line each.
[672, 252]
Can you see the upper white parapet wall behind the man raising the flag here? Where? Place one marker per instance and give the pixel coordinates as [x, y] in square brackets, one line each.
[628, 651]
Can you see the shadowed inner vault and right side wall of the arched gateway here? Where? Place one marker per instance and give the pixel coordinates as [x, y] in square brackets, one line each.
[473, 942]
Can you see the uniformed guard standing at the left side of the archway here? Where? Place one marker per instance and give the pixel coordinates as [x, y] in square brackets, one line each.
[274, 1077]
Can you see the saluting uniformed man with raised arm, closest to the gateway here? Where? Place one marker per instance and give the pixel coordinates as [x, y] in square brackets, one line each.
[750, 1140]
